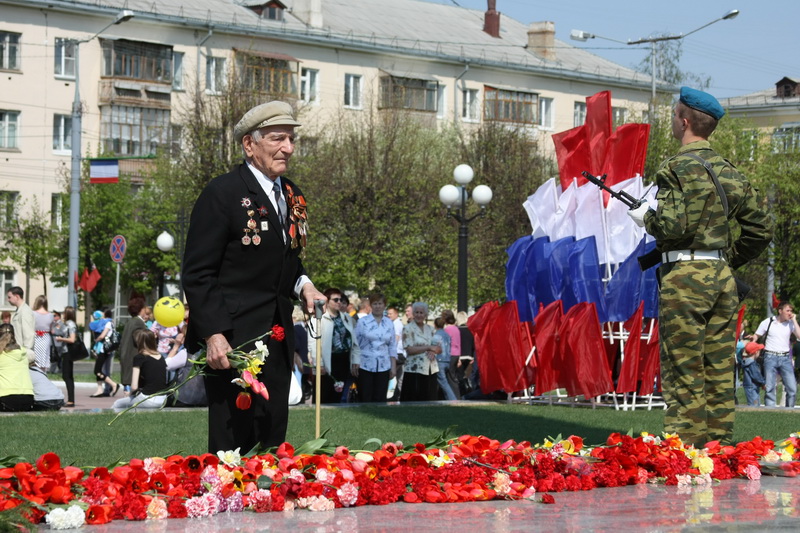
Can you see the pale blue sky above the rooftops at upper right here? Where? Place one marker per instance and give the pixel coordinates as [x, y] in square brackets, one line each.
[743, 55]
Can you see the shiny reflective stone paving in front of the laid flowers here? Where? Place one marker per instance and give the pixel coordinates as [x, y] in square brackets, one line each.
[769, 504]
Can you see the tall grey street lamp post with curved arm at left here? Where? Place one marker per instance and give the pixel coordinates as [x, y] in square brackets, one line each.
[75, 177]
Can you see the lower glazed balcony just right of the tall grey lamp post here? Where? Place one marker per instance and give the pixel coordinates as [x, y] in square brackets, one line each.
[127, 130]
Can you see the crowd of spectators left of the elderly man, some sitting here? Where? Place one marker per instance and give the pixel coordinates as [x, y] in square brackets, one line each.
[35, 342]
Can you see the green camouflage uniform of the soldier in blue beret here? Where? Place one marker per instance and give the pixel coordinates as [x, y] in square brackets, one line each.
[698, 297]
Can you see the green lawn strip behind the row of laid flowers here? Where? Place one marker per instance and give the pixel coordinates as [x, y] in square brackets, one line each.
[86, 439]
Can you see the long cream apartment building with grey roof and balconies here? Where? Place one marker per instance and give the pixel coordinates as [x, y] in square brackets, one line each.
[444, 63]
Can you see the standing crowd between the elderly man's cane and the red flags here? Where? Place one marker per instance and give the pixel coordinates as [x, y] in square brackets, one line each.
[370, 354]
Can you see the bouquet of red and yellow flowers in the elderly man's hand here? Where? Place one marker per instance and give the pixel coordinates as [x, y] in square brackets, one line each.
[248, 365]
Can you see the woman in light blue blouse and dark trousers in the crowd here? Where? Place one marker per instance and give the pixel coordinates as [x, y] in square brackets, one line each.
[375, 336]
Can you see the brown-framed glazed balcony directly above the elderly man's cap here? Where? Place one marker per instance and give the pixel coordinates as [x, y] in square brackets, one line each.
[273, 75]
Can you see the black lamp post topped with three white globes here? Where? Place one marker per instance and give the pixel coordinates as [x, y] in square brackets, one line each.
[455, 199]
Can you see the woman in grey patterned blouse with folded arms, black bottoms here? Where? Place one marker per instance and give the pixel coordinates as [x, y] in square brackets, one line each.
[420, 369]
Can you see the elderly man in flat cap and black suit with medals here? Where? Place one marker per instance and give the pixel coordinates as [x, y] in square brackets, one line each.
[241, 271]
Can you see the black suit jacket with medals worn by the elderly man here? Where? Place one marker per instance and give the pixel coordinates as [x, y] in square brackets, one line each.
[232, 288]
